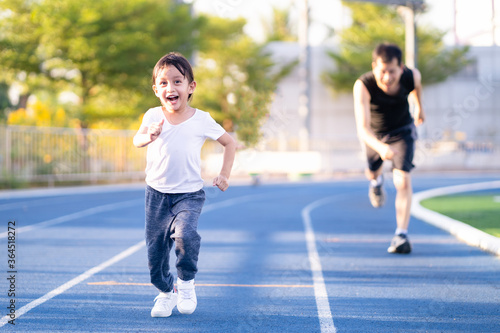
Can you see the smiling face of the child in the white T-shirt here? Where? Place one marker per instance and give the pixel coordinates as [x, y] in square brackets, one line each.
[173, 89]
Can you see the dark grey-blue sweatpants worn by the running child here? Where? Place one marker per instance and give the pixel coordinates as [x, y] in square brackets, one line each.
[172, 217]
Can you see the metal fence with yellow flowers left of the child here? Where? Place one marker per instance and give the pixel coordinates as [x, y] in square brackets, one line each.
[38, 154]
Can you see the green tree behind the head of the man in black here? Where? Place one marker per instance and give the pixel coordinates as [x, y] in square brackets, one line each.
[373, 24]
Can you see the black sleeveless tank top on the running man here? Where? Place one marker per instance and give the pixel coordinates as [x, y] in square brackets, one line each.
[389, 113]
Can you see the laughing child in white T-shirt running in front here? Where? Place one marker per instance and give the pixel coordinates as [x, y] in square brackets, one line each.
[174, 134]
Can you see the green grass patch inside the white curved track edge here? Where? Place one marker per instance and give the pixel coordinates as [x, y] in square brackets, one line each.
[482, 211]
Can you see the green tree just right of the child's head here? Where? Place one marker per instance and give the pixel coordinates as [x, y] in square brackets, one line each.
[237, 78]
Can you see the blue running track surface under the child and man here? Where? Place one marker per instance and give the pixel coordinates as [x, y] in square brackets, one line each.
[297, 257]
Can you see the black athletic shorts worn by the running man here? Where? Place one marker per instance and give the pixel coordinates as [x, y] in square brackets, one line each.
[402, 140]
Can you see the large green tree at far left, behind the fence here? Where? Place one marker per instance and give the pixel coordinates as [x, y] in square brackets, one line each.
[102, 50]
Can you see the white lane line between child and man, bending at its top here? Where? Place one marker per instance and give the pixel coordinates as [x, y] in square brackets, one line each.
[320, 293]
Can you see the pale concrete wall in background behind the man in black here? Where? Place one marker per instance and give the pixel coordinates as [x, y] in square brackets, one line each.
[462, 130]
